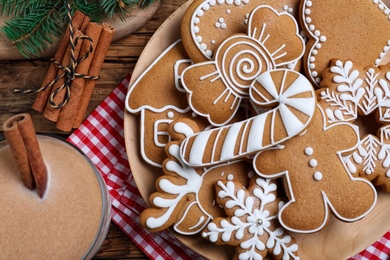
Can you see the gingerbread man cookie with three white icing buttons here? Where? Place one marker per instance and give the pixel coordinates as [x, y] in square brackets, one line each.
[317, 181]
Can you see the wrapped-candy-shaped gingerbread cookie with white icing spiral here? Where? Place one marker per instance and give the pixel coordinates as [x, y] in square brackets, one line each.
[215, 88]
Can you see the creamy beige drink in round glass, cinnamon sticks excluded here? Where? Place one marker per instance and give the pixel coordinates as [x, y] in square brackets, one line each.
[69, 222]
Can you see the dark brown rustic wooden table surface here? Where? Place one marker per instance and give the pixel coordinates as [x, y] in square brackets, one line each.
[120, 61]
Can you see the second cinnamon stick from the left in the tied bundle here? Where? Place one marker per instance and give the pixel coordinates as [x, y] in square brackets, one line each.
[50, 112]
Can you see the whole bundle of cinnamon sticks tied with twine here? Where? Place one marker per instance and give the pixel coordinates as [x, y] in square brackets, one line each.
[72, 114]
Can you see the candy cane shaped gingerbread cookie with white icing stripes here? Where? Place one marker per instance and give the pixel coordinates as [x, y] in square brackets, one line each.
[294, 102]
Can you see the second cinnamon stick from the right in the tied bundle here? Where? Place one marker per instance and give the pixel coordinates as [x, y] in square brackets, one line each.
[68, 112]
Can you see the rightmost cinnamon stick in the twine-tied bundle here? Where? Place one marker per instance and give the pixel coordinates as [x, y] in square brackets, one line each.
[96, 66]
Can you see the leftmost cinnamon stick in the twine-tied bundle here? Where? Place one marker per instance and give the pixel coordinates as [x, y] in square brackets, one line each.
[42, 97]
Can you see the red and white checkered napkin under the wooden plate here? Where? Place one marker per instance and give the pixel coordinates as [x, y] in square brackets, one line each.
[101, 138]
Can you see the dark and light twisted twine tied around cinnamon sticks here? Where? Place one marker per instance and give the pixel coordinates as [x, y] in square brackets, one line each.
[69, 71]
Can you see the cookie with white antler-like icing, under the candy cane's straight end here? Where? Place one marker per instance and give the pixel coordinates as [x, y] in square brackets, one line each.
[185, 196]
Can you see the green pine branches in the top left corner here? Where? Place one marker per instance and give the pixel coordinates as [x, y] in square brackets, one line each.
[34, 23]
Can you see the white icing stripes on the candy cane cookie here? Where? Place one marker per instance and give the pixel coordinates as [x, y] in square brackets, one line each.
[255, 126]
